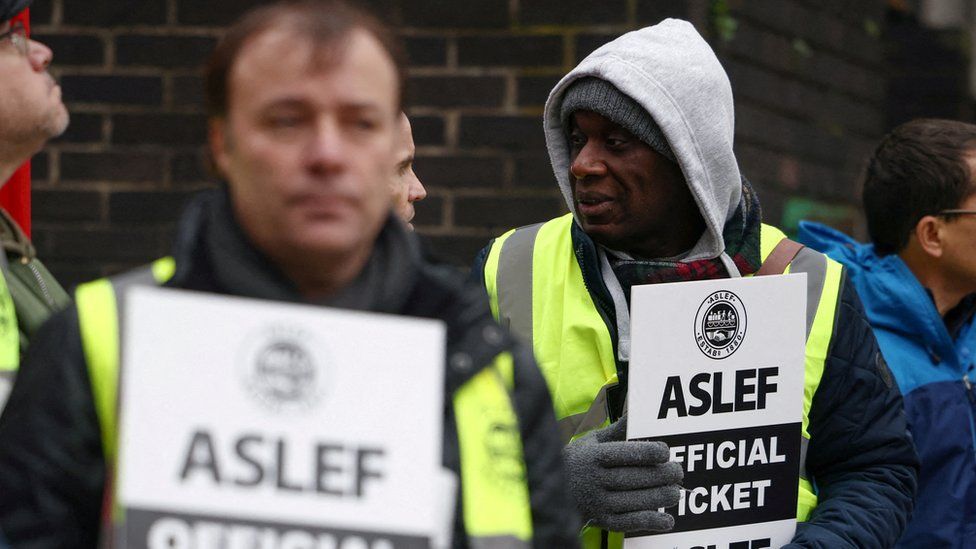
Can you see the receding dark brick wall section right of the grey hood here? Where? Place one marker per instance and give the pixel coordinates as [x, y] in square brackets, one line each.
[810, 85]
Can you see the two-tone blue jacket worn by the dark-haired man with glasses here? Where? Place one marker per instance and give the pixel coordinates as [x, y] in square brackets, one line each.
[935, 374]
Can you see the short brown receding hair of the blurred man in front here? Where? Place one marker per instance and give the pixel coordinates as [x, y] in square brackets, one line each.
[324, 22]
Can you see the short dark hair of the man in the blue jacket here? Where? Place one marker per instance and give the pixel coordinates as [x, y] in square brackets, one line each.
[919, 169]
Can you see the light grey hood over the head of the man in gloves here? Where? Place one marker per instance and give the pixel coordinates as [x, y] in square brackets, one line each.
[672, 73]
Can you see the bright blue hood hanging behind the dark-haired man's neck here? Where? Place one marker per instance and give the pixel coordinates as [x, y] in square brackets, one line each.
[893, 298]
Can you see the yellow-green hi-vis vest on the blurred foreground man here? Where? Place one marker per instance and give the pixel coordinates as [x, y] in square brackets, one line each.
[494, 489]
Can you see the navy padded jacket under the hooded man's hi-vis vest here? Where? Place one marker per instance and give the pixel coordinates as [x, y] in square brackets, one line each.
[861, 455]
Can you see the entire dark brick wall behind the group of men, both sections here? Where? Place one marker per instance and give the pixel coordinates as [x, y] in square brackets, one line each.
[807, 75]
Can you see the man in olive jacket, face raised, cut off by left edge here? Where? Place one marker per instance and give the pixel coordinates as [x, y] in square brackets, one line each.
[31, 113]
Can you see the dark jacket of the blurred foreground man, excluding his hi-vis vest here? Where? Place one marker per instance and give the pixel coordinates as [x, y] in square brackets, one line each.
[52, 469]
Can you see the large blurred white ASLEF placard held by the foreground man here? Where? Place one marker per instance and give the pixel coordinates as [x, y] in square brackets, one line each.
[249, 423]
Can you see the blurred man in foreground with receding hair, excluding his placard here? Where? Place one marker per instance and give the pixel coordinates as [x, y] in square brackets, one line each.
[304, 99]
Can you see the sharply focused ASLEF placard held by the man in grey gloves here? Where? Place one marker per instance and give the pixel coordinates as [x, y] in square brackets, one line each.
[717, 372]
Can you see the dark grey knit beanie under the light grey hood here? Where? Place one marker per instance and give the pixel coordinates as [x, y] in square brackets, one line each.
[602, 97]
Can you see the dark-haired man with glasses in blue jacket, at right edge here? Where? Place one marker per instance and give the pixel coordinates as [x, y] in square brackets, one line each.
[917, 280]
